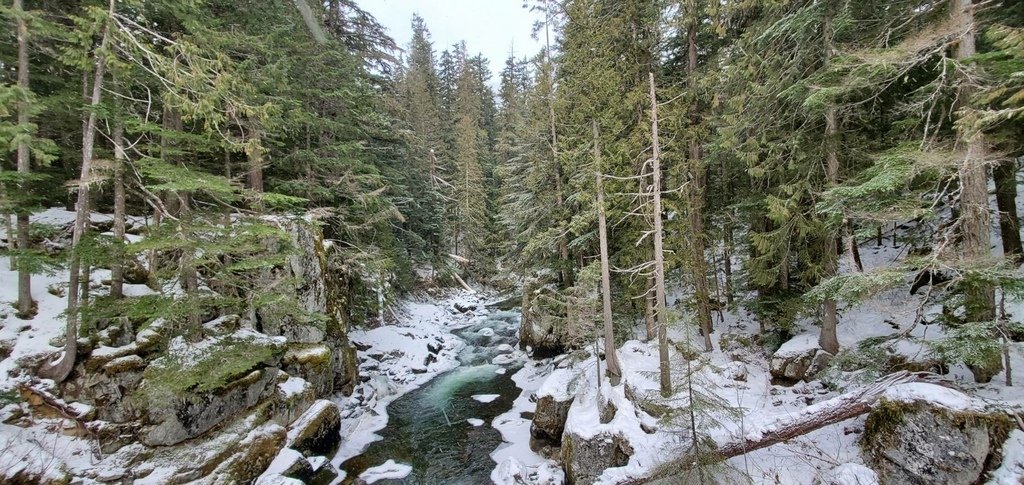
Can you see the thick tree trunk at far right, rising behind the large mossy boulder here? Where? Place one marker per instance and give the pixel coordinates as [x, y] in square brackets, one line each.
[980, 299]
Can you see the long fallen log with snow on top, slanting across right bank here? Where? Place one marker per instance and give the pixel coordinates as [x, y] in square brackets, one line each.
[786, 428]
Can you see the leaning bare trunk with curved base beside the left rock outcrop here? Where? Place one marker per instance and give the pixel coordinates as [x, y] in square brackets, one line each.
[59, 371]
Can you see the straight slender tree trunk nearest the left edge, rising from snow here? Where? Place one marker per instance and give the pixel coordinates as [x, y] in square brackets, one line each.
[24, 167]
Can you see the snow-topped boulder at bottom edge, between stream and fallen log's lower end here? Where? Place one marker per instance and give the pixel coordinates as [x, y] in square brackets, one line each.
[585, 459]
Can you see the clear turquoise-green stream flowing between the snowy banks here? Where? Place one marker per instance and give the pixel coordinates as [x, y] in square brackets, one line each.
[429, 428]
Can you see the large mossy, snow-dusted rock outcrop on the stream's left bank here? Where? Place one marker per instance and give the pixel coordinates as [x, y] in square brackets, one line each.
[221, 408]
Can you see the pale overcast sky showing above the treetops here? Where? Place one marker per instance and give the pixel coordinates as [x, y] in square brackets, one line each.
[489, 27]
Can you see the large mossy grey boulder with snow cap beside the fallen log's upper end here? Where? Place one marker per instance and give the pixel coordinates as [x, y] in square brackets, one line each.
[924, 444]
